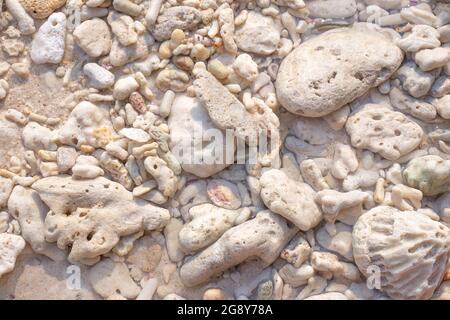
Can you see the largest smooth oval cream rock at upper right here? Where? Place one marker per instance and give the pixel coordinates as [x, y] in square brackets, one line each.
[327, 72]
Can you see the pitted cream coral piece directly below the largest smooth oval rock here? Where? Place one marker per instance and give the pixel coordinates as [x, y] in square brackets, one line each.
[381, 130]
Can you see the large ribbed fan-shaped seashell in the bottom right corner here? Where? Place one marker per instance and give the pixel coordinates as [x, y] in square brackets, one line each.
[405, 251]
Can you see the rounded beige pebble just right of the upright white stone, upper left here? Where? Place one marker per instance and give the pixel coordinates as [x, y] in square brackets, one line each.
[94, 37]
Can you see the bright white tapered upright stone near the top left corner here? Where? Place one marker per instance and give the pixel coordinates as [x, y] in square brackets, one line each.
[49, 42]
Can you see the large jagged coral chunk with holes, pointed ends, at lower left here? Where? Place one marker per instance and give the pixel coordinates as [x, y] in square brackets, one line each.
[88, 217]
